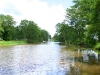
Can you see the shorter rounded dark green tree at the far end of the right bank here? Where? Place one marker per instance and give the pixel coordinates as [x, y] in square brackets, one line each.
[65, 33]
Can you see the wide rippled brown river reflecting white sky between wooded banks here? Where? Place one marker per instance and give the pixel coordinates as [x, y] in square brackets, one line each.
[48, 59]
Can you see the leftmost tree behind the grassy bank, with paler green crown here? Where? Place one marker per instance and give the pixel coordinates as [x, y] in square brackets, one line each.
[8, 27]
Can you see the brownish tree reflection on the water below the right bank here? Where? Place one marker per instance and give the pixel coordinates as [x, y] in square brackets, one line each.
[81, 62]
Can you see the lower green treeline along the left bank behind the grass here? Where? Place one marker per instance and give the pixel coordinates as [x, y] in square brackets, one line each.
[26, 30]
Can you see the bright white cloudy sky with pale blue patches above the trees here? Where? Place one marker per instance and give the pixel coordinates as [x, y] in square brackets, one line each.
[45, 13]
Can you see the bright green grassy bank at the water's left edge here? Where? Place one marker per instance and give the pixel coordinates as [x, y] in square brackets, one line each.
[8, 43]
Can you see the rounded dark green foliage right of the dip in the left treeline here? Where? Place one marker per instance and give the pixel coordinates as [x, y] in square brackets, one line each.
[28, 30]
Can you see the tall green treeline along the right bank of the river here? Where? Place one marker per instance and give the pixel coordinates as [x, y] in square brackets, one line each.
[82, 24]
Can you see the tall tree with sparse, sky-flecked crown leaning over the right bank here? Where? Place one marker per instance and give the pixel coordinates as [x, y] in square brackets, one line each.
[76, 18]
